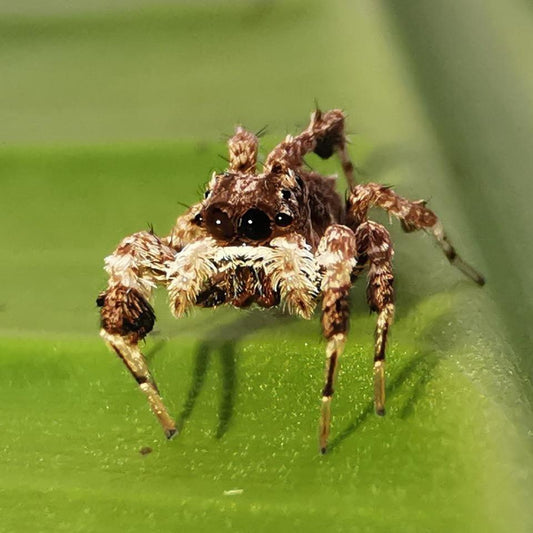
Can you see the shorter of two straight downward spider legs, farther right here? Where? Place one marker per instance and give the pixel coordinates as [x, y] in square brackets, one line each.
[374, 251]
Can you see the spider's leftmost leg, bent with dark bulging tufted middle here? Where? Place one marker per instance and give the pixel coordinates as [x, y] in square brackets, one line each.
[137, 265]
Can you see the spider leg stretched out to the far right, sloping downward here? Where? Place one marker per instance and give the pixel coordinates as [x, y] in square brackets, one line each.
[412, 215]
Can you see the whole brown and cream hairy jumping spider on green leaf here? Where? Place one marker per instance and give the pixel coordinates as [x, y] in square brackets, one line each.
[278, 236]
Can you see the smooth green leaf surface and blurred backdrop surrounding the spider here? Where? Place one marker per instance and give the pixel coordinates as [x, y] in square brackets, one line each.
[114, 113]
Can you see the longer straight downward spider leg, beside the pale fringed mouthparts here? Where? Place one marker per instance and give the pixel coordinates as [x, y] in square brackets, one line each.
[336, 256]
